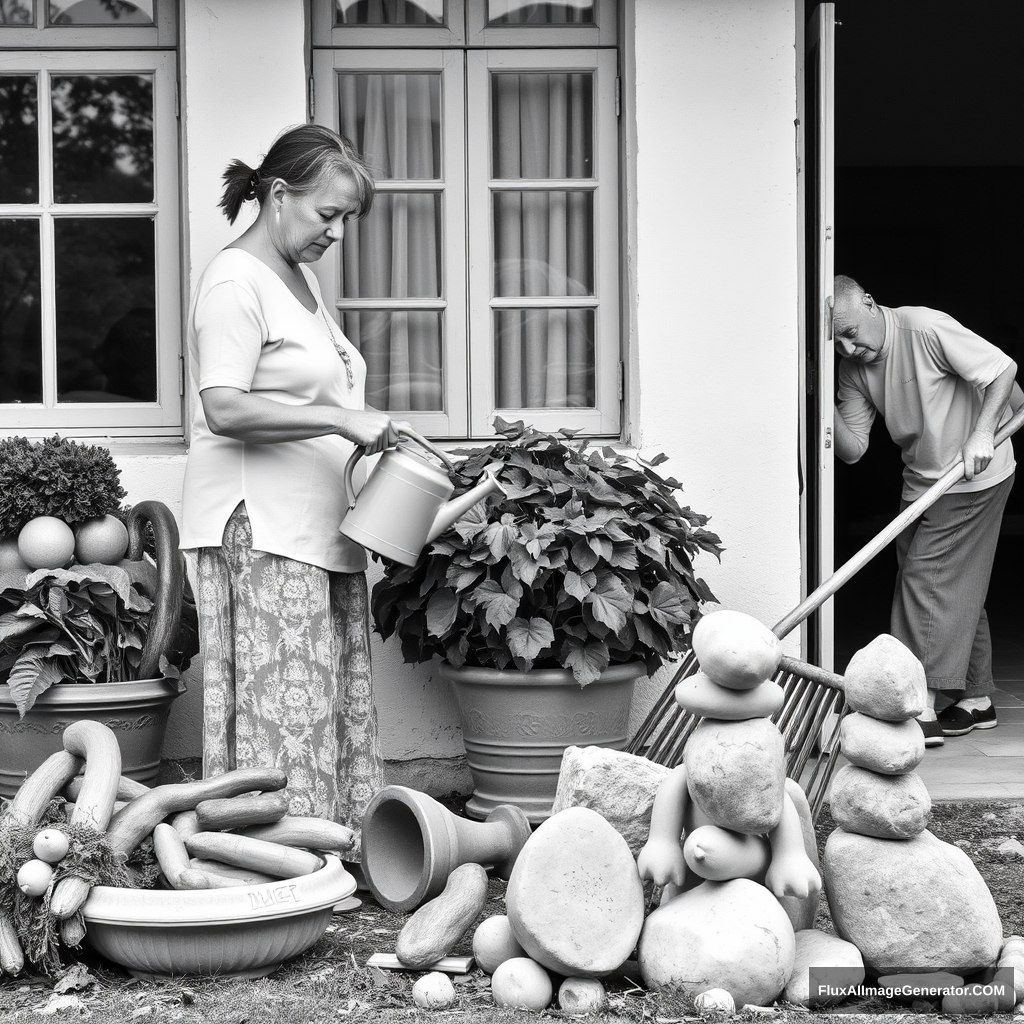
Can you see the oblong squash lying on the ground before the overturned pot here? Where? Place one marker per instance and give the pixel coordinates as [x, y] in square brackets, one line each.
[437, 926]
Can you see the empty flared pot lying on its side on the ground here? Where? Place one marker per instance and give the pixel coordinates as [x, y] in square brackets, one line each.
[411, 845]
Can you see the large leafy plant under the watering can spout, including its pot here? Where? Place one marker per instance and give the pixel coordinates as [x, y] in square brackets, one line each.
[548, 605]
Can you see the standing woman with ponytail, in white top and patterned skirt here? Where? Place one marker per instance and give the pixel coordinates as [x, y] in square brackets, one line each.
[278, 394]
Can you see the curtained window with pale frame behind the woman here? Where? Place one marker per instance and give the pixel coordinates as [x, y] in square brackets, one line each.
[486, 278]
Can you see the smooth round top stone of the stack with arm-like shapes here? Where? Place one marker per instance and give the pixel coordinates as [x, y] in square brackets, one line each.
[736, 650]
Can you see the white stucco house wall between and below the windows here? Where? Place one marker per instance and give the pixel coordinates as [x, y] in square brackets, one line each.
[714, 360]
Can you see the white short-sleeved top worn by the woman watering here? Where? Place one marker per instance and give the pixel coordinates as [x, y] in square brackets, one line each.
[248, 331]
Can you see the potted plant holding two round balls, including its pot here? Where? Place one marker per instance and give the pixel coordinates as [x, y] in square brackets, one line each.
[91, 593]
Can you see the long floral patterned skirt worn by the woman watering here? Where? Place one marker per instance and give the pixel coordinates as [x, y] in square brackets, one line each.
[287, 681]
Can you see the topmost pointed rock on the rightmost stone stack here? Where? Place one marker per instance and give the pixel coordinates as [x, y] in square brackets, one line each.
[886, 680]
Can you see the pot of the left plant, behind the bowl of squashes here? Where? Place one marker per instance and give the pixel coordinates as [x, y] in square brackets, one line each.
[138, 713]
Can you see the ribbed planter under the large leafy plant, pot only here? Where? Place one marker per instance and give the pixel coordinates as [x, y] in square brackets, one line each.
[517, 726]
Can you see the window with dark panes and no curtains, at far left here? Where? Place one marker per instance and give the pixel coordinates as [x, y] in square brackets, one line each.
[90, 280]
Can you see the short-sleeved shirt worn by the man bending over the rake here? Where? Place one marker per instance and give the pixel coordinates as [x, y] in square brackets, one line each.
[929, 388]
